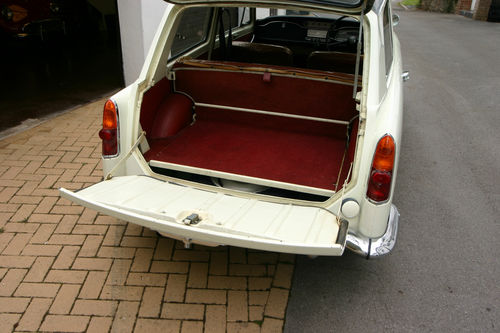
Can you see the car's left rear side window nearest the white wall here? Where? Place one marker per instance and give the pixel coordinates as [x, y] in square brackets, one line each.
[192, 30]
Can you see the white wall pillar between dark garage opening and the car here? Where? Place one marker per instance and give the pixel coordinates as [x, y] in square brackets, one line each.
[138, 23]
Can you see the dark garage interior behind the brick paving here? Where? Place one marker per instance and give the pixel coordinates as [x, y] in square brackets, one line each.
[45, 69]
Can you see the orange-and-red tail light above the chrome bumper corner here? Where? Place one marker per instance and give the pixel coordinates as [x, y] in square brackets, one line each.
[379, 184]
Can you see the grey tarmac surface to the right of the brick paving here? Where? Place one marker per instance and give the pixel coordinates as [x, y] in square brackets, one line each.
[443, 273]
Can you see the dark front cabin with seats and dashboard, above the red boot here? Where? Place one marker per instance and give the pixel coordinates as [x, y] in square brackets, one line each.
[301, 41]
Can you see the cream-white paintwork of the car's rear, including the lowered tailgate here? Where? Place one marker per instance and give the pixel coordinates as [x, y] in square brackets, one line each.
[380, 112]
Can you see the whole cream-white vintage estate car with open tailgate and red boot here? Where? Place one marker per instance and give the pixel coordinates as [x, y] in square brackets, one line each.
[272, 125]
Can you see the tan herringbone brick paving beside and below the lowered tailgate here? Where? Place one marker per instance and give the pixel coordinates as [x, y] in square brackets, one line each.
[66, 268]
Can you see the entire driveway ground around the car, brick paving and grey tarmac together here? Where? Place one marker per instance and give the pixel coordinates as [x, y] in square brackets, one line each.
[66, 268]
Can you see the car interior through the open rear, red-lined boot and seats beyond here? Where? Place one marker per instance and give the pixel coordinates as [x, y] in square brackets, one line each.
[270, 102]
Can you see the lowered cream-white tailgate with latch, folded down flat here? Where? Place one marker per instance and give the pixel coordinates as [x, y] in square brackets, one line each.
[224, 219]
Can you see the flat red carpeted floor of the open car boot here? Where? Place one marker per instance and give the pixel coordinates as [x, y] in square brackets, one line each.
[239, 148]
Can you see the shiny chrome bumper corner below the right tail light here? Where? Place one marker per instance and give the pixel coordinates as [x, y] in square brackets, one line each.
[376, 247]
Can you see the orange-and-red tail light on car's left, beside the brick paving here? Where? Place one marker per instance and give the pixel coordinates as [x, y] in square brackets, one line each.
[109, 132]
